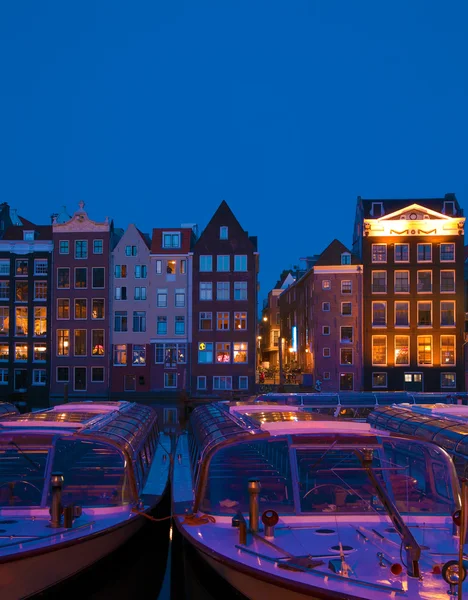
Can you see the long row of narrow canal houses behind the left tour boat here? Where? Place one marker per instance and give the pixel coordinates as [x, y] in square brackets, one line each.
[90, 310]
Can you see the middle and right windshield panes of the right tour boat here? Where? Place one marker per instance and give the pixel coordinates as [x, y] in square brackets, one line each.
[418, 478]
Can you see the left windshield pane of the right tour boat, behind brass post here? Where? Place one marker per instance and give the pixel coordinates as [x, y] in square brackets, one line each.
[232, 467]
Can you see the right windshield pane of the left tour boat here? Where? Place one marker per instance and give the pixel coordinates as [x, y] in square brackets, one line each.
[94, 473]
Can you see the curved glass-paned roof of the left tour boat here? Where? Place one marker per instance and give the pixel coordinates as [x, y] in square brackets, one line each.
[125, 424]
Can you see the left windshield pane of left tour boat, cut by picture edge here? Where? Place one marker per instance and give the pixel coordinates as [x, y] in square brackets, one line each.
[22, 472]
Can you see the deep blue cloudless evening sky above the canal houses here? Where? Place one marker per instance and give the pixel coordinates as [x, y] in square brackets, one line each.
[153, 112]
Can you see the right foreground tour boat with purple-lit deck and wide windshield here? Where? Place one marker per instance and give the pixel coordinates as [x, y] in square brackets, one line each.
[283, 503]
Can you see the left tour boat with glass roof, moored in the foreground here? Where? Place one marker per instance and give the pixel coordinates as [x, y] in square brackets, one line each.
[75, 483]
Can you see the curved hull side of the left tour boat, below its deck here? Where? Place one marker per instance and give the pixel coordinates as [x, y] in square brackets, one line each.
[29, 575]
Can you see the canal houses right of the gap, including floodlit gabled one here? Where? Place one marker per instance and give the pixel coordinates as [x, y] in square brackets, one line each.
[390, 314]
